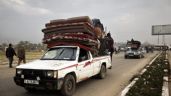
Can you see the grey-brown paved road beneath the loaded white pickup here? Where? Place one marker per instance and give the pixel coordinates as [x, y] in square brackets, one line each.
[117, 78]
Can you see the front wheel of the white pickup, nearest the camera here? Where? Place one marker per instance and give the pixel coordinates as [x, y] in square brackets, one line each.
[69, 85]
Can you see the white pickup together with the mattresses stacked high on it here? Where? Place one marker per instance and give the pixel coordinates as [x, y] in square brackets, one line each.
[71, 58]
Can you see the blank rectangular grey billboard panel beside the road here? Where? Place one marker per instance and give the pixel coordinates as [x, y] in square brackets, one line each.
[161, 29]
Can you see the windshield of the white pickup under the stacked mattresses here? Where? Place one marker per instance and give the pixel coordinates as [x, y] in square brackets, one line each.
[61, 53]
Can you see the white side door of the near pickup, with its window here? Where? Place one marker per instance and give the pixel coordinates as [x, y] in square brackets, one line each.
[85, 68]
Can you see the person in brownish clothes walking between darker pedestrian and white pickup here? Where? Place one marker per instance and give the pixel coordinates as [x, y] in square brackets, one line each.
[21, 55]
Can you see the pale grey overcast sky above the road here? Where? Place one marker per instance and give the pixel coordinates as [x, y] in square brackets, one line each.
[125, 19]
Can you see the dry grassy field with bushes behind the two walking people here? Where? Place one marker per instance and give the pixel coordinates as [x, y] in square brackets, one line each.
[33, 51]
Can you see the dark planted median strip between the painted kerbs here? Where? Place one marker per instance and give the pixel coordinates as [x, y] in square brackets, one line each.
[151, 81]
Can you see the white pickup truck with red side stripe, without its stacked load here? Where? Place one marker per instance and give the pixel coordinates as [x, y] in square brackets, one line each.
[60, 68]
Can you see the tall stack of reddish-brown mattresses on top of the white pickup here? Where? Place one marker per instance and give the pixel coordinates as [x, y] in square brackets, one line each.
[81, 31]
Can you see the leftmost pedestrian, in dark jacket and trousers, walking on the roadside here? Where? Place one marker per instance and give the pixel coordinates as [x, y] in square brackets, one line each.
[9, 54]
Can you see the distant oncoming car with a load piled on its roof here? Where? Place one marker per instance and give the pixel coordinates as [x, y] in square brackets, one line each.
[133, 49]
